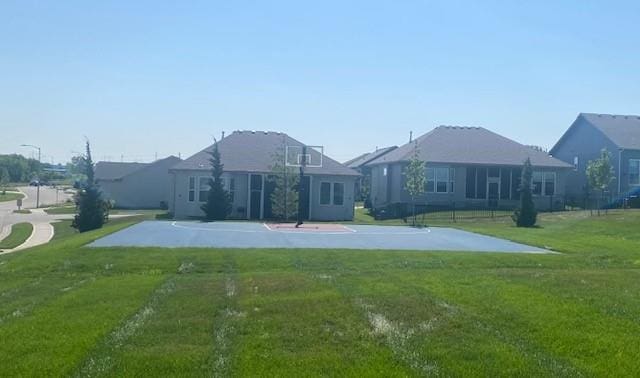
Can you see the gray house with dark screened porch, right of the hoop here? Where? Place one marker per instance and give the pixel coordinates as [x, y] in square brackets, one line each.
[468, 167]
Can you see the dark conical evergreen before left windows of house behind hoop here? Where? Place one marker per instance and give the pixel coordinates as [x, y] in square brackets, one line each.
[218, 205]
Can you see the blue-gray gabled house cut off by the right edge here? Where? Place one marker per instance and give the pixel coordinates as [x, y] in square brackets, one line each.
[587, 136]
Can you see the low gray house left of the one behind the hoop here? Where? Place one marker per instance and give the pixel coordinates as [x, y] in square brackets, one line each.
[136, 185]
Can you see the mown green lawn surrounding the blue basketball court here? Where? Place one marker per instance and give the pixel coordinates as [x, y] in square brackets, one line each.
[69, 310]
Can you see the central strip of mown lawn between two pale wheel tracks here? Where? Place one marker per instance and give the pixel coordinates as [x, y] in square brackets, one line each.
[306, 336]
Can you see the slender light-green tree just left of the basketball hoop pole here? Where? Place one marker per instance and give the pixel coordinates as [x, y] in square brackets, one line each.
[284, 198]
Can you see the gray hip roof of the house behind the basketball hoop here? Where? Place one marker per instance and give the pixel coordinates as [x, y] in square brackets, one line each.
[253, 151]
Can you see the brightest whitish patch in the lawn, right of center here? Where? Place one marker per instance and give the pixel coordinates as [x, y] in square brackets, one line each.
[398, 337]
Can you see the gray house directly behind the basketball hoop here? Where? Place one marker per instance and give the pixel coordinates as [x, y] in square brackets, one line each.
[248, 157]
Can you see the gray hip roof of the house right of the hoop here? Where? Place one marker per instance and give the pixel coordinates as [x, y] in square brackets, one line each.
[469, 145]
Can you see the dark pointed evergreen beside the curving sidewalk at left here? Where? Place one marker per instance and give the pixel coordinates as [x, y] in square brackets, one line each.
[92, 211]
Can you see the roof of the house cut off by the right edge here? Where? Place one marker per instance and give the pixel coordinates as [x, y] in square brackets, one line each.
[622, 130]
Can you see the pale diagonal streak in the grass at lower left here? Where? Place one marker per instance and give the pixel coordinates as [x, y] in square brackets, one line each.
[100, 362]
